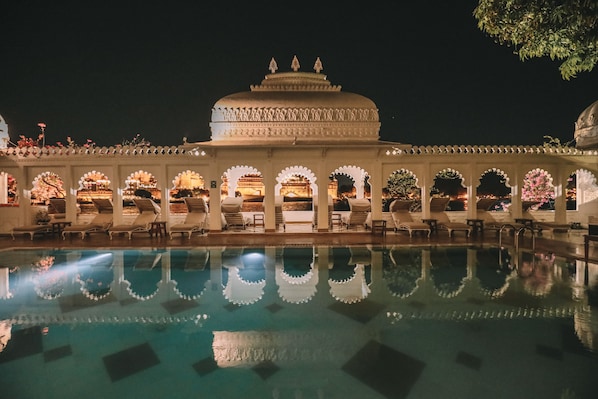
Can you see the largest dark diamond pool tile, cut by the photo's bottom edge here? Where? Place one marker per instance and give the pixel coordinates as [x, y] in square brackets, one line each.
[385, 370]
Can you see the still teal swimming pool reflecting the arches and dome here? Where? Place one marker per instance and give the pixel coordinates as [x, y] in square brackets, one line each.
[296, 322]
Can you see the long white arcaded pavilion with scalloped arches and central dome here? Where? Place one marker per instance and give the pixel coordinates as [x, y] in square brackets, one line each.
[294, 135]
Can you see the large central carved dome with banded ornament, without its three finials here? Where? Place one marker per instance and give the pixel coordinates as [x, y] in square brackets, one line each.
[294, 107]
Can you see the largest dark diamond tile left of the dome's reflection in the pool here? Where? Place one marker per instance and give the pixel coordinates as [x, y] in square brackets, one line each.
[130, 361]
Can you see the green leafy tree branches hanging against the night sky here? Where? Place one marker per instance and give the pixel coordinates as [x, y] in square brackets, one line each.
[561, 29]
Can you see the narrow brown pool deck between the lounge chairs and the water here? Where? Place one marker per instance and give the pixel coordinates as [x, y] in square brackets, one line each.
[569, 245]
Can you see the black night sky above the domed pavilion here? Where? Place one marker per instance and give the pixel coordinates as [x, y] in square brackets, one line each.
[108, 71]
